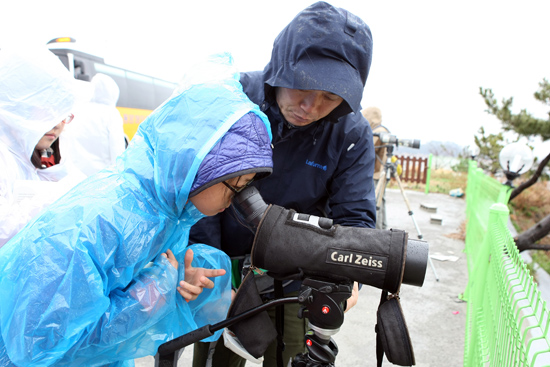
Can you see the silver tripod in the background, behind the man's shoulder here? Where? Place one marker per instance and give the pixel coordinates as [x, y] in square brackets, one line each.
[389, 170]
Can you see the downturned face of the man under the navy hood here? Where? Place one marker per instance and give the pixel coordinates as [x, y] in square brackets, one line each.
[302, 107]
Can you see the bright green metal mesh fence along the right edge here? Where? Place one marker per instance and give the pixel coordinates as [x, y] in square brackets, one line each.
[507, 322]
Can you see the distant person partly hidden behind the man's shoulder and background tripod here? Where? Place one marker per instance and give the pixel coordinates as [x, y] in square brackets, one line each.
[374, 117]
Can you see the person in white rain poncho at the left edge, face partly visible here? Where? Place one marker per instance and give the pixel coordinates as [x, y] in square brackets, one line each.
[37, 94]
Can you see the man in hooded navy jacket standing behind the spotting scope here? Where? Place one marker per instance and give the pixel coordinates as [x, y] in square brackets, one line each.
[323, 154]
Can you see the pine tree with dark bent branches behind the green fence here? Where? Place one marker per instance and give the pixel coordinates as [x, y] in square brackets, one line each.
[524, 124]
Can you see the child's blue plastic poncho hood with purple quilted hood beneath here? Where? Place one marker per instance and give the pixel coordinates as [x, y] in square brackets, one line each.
[165, 156]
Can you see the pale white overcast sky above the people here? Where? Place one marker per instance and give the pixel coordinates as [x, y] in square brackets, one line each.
[429, 57]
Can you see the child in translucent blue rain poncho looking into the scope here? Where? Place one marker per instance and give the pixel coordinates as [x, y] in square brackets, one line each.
[92, 280]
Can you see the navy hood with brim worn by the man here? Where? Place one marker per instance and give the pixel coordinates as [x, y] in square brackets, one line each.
[323, 48]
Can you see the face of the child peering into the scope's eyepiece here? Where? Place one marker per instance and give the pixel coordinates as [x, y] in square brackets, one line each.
[217, 198]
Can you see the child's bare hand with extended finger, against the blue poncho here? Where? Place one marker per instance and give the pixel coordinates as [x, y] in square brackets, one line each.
[196, 278]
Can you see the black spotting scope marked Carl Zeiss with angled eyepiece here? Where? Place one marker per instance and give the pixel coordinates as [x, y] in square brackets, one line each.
[290, 245]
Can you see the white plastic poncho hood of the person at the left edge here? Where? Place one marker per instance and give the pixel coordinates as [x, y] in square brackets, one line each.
[36, 93]
